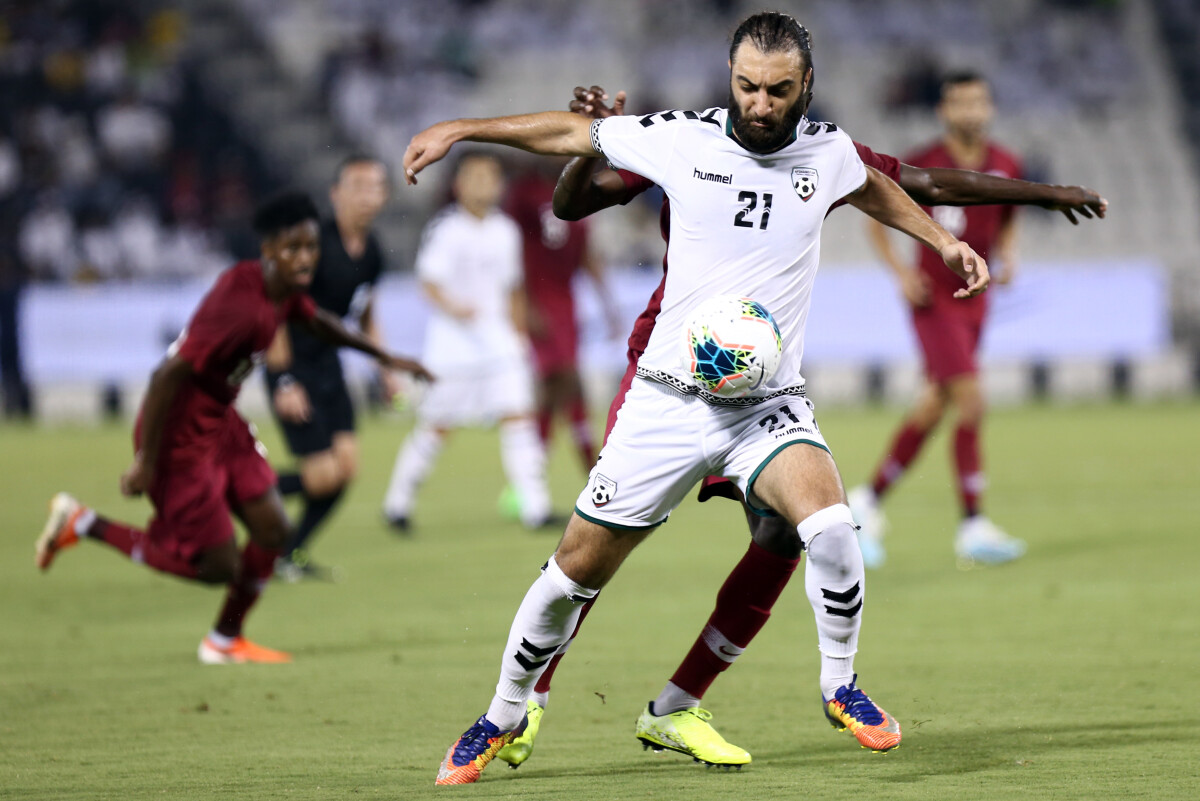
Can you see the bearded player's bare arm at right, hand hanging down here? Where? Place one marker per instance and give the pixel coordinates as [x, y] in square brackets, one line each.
[883, 200]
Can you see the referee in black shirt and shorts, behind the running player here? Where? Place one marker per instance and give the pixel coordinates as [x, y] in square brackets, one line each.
[304, 375]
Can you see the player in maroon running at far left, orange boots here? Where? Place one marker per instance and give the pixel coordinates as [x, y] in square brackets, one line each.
[196, 457]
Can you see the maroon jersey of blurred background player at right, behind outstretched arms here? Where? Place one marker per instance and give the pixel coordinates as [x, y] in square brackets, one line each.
[977, 226]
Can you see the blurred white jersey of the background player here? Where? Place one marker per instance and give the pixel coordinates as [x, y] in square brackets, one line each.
[477, 264]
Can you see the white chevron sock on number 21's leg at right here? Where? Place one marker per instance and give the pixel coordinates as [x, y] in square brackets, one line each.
[835, 582]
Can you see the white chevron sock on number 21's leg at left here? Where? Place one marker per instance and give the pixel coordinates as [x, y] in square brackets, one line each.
[545, 622]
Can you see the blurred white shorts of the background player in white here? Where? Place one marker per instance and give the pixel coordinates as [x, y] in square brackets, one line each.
[478, 398]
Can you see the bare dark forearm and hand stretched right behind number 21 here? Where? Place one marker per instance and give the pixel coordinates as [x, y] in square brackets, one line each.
[961, 188]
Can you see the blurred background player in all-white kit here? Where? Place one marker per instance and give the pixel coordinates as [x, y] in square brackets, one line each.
[470, 270]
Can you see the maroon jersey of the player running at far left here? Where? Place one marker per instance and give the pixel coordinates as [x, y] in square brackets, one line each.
[227, 336]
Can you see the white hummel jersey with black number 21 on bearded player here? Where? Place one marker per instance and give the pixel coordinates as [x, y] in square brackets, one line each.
[742, 224]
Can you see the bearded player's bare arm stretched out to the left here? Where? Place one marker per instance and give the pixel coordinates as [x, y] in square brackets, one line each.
[547, 134]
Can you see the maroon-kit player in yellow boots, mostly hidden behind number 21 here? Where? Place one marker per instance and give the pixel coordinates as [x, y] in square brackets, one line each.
[746, 600]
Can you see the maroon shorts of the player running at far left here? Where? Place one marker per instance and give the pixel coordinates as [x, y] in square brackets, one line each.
[194, 497]
